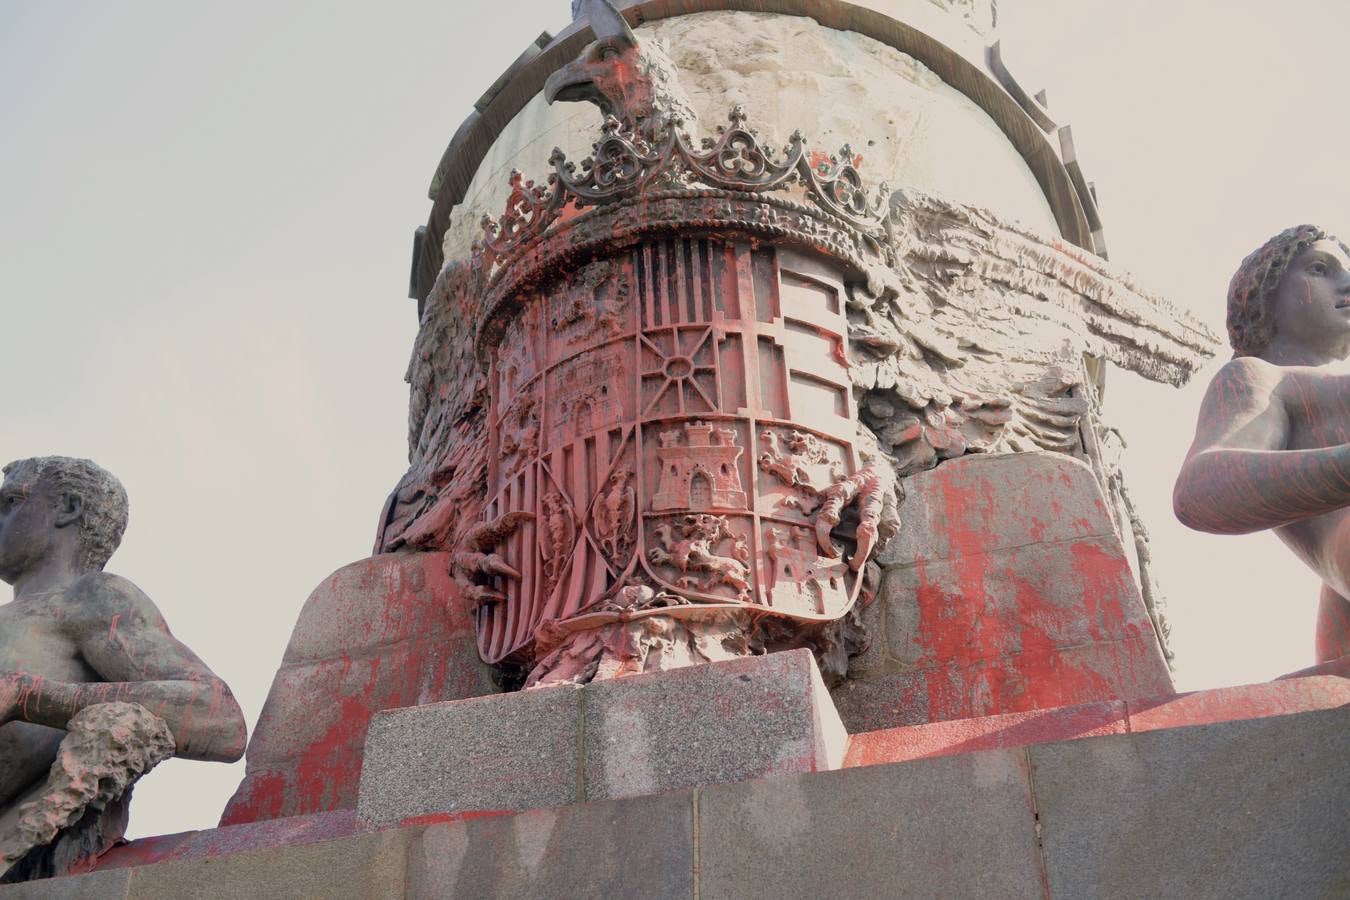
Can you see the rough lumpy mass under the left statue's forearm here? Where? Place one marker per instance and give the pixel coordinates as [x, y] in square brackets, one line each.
[82, 810]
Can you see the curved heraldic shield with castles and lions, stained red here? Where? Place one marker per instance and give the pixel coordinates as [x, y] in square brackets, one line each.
[670, 416]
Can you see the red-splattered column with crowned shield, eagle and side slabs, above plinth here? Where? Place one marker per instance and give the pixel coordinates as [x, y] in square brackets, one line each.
[676, 399]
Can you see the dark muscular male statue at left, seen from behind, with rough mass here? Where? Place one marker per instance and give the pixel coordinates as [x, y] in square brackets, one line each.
[94, 689]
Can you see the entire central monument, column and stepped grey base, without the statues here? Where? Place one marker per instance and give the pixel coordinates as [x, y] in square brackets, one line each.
[762, 534]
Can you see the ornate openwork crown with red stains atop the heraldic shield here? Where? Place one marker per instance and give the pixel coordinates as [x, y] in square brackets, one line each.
[638, 184]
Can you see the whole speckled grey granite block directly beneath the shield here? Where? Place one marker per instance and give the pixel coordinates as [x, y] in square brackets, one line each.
[645, 735]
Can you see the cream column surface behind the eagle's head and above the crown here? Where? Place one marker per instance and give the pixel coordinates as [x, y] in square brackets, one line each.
[792, 74]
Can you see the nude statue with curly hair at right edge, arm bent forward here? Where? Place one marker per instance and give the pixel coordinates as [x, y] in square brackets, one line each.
[1272, 447]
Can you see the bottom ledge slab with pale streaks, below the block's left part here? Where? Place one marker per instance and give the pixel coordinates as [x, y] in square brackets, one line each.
[641, 848]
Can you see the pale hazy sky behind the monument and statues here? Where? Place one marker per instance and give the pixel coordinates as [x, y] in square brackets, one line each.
[207, 215]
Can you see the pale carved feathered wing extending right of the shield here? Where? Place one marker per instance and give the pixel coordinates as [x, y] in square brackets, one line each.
[979, 343]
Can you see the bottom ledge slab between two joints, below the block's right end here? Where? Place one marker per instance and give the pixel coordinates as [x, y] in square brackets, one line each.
[951, 828]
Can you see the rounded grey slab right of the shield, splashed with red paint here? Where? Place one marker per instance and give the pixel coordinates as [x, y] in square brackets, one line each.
[1006, 592]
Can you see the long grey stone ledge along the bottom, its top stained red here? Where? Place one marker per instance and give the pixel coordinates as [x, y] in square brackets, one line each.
[1232, 809]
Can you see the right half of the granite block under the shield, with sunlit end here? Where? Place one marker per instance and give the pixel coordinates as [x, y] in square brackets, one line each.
[734, 721]
